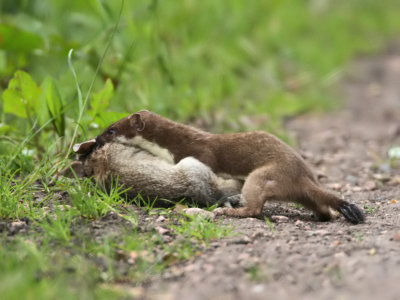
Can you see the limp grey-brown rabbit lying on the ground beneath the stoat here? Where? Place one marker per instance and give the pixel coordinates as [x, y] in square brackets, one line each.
[152, 176]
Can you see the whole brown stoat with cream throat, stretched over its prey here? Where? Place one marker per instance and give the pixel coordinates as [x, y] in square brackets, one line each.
[271, 169]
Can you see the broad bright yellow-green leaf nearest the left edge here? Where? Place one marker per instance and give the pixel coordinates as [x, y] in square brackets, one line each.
[21, 96]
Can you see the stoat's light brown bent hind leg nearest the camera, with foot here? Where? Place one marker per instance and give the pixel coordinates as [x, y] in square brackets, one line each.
[259, 187]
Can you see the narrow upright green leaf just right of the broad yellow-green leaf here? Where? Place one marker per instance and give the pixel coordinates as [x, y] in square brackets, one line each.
[55, 106]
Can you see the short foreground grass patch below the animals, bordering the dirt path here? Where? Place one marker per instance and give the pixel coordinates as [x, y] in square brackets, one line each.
[58, 255]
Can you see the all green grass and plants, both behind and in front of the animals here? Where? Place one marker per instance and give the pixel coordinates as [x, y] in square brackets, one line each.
[225, 66]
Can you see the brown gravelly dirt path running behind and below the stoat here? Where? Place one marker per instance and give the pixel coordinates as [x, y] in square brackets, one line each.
[295, 257]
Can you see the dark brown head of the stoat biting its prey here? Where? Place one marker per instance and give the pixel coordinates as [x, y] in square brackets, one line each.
[128, 128]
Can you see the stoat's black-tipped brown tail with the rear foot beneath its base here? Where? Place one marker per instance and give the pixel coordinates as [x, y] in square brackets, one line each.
[322, 200]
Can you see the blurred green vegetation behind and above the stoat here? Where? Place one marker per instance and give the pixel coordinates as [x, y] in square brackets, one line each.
[221, 65]
